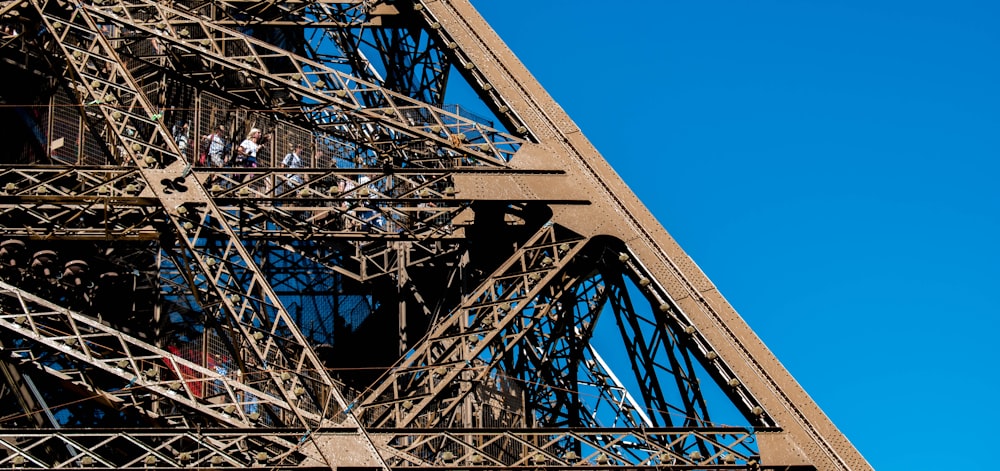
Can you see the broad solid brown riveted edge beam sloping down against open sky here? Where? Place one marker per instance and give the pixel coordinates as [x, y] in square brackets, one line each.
[618, 212]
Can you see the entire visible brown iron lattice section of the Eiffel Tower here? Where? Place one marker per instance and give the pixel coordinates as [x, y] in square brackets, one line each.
[243, 234]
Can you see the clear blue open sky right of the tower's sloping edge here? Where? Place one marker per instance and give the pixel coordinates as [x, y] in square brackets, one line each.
[832, 167]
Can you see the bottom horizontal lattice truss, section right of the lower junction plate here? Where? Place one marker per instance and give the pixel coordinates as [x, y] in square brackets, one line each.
[572, 448]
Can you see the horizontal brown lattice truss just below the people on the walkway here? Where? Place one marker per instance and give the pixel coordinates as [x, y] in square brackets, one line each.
[411, 205]
